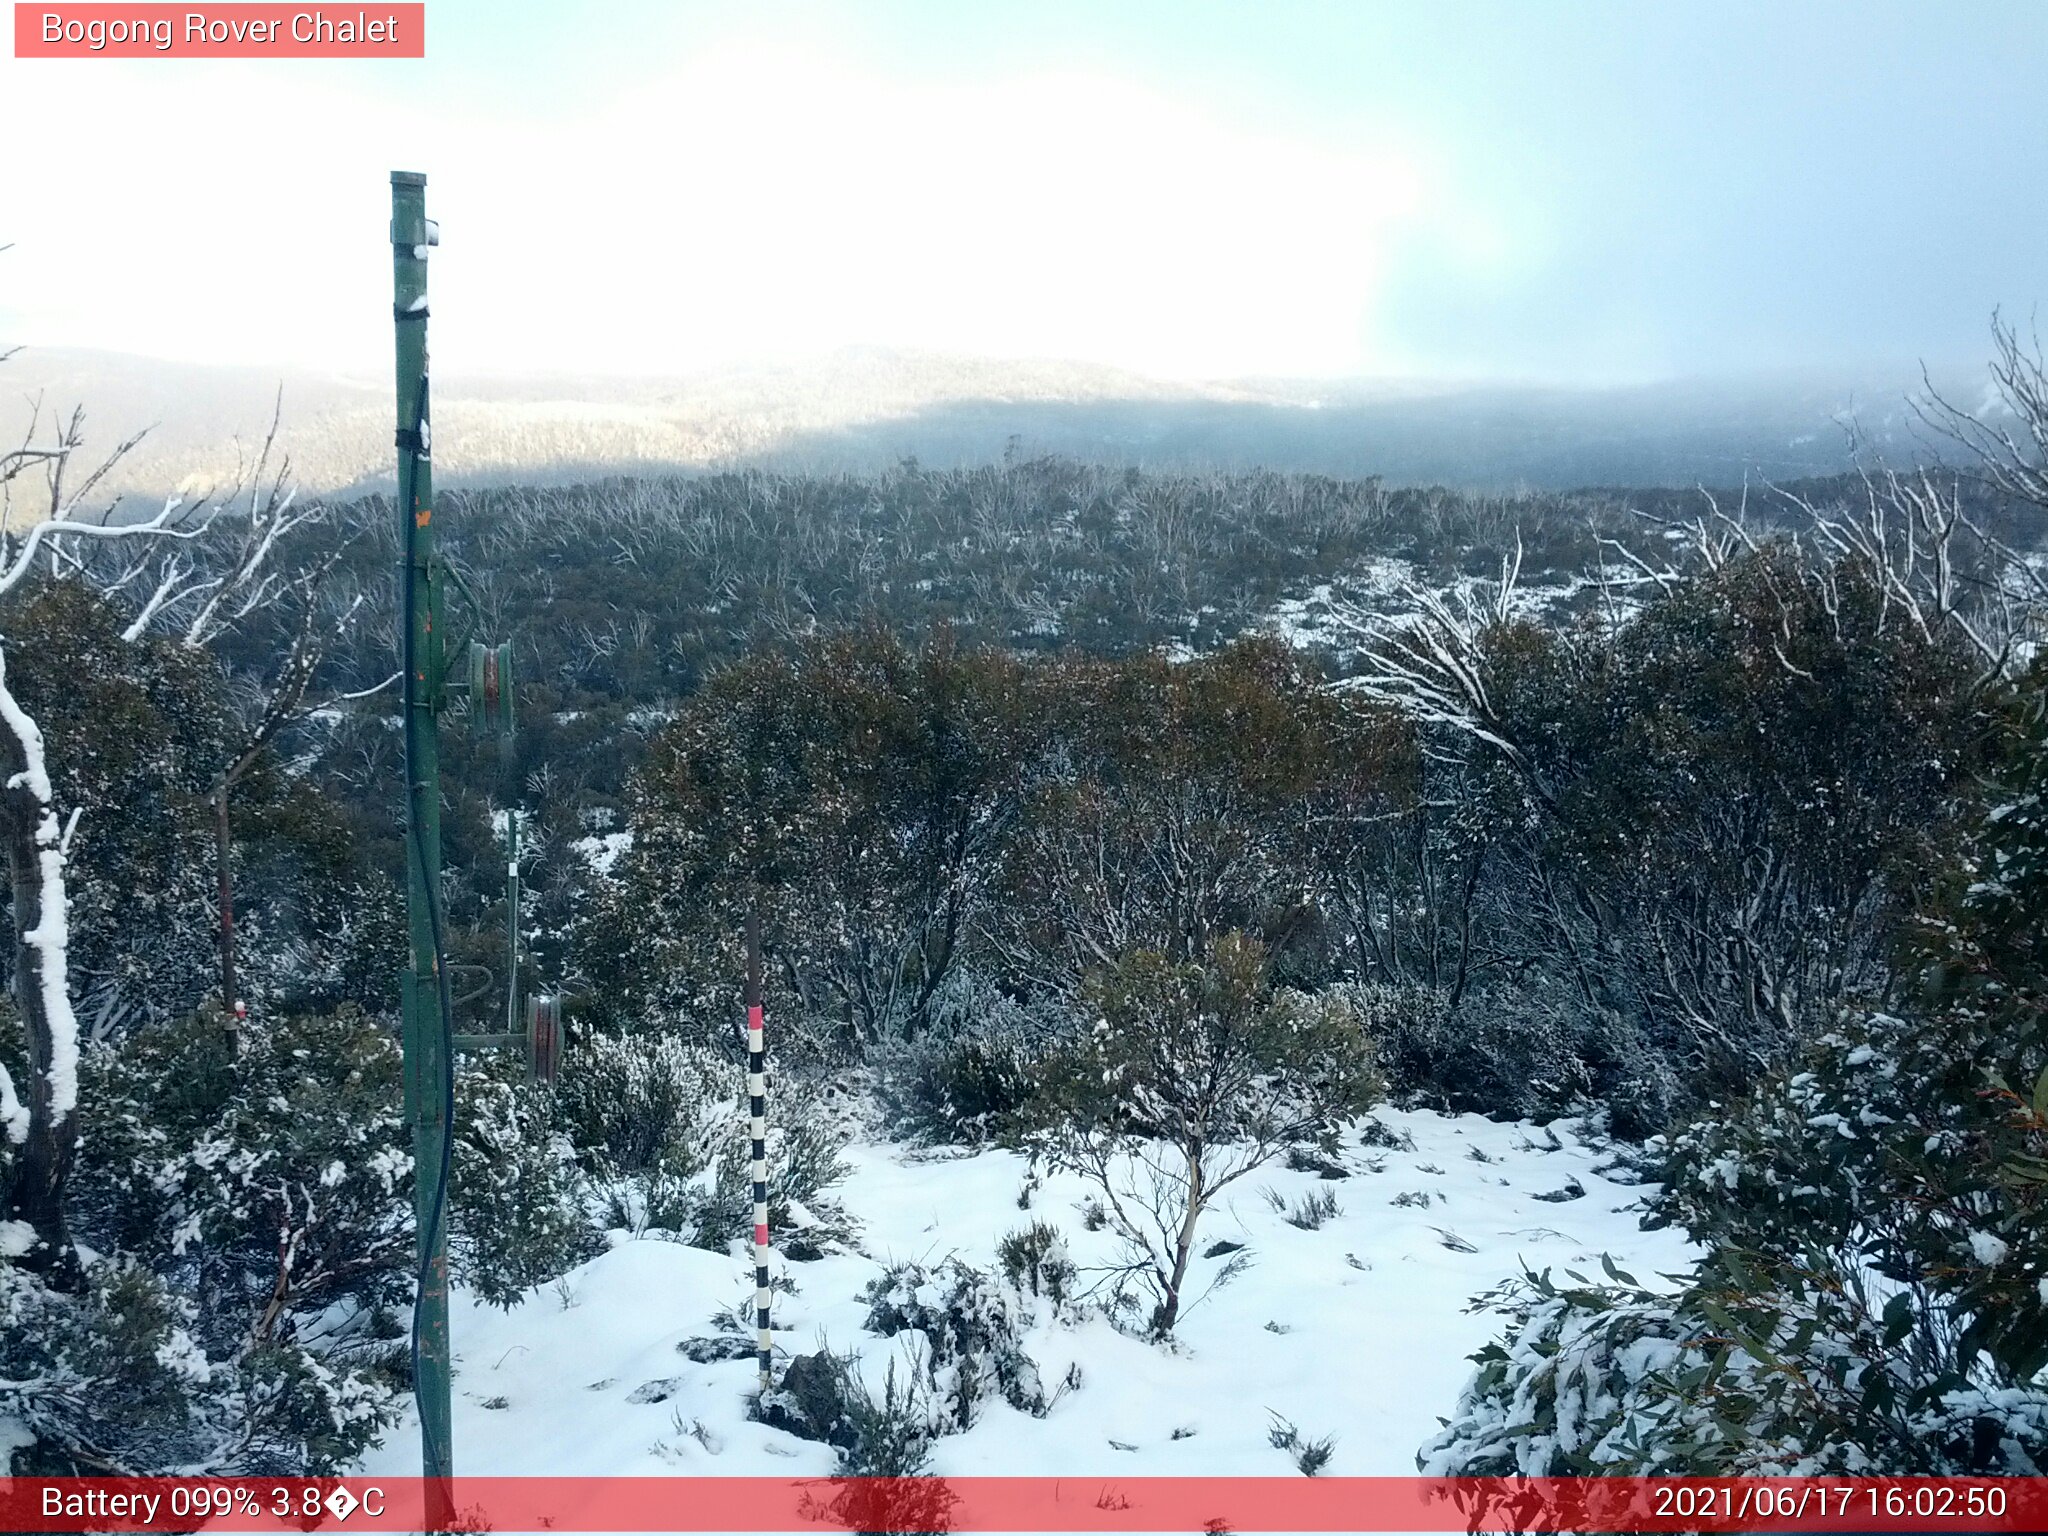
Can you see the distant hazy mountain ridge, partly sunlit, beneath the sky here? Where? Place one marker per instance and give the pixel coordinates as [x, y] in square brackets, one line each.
[869, 407]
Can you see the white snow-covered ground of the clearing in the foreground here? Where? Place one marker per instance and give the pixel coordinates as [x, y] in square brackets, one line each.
[1357, 1330]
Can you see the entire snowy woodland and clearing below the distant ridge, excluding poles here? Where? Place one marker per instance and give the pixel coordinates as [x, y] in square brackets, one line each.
[1576, 955]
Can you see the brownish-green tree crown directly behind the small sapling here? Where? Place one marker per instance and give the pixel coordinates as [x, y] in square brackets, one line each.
[1172, 804]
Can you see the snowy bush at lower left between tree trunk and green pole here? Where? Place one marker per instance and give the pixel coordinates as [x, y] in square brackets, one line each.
[251, 1205]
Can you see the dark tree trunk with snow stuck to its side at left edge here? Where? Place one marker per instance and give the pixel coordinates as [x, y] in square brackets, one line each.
[44, 1158]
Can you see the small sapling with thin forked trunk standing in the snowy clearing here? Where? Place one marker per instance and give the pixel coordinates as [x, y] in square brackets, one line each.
[1193, 1076]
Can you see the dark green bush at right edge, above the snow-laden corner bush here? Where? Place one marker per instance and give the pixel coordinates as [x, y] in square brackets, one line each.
[1916, 1148]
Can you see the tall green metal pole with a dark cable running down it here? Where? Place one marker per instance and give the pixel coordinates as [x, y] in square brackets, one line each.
[429, 1086]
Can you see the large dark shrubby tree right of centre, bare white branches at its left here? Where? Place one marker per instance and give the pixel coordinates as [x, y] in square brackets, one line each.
[1707, 820]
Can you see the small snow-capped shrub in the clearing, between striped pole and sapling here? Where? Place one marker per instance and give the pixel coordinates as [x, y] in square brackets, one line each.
[972, 1334]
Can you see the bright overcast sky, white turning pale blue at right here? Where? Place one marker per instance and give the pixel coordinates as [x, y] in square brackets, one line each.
[1519, 191]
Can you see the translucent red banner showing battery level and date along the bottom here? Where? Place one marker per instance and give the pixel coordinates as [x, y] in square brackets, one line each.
[1023, 1504]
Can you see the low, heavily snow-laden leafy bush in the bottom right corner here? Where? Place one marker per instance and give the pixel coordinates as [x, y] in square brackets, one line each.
[1752, 1371]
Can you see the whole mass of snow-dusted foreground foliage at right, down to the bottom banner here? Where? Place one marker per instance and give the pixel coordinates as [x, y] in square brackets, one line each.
[1879, 1299]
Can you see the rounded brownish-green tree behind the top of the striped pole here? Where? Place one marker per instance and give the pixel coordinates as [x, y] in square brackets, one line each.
[849, 794]
